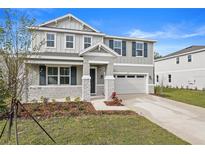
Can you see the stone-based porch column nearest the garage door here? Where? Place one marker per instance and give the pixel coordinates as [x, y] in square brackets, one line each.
[109, 81]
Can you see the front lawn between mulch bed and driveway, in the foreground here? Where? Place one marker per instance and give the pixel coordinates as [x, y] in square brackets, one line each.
[92, 129]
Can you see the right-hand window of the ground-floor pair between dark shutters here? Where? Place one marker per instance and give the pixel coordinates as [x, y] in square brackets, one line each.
[64, 75]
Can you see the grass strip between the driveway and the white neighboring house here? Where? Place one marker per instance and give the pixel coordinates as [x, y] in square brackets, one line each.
[193, 97]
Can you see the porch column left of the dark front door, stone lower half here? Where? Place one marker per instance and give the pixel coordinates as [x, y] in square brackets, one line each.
[86, 81]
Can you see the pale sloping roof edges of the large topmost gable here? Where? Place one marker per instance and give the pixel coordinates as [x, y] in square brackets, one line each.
[67, 16]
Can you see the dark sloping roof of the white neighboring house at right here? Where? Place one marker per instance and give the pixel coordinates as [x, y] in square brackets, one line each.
[190, 49]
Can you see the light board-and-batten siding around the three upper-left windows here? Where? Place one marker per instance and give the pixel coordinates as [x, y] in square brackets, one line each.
[60, 42]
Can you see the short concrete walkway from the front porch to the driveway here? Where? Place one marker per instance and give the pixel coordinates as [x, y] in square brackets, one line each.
[99, 105]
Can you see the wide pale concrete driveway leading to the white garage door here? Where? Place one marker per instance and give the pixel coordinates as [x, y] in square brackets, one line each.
[183, 120]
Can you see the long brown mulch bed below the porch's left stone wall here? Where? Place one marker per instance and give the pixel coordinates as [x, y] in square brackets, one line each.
[42, 110]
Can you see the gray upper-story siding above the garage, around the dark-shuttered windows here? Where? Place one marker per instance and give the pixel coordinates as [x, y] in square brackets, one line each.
[134, 60]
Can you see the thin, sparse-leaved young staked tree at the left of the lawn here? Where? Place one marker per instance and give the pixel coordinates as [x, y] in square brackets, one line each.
[15, 48]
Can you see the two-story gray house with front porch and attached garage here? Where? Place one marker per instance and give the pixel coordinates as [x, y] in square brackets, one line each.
[78, 60]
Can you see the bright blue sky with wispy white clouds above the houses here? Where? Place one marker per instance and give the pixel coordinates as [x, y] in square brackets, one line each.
[174, 29]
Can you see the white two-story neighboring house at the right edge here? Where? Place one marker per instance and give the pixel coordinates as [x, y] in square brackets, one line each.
[182, 69]
